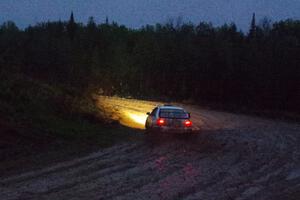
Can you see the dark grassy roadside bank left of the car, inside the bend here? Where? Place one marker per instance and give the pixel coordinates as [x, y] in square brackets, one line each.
[42, 124]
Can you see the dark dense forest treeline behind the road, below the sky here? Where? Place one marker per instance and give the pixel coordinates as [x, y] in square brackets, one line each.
[182, 61]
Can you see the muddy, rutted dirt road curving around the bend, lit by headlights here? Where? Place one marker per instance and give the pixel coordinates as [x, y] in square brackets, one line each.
[231, 157]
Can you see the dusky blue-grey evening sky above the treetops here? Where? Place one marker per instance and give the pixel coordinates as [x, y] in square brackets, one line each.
[135, 13]
